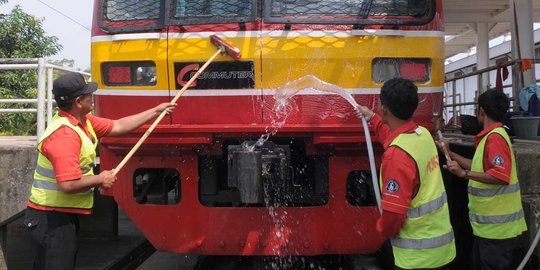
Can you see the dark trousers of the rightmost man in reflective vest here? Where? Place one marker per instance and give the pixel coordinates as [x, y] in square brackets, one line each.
[495, 254]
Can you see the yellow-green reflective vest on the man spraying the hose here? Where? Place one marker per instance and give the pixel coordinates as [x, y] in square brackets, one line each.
[426, 239]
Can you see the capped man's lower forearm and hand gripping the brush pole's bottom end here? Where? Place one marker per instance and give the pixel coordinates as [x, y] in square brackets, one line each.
[105, 179]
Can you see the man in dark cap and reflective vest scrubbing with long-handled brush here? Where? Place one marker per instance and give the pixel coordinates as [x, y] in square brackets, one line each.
[63, 179]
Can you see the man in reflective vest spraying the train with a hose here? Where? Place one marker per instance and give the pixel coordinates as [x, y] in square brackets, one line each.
[415, 210]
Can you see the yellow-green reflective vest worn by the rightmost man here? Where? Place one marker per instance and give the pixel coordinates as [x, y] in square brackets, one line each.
[495, 211]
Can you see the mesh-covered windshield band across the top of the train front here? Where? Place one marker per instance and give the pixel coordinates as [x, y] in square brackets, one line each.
[136, 15]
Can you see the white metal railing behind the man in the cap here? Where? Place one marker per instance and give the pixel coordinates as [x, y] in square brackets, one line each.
[44, 100]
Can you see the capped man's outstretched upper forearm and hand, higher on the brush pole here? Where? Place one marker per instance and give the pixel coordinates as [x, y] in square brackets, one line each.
[127, 124]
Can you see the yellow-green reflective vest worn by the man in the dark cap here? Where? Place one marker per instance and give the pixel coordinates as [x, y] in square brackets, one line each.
[45, 190]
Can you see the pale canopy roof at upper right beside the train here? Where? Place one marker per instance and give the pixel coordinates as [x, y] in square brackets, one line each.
[460, 17]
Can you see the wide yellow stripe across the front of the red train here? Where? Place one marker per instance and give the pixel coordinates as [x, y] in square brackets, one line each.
[342, 60]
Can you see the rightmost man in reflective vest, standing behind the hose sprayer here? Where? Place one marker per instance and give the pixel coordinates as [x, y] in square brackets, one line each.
[495, 210]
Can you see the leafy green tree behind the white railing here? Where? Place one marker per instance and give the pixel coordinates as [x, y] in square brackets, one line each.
[21, 36]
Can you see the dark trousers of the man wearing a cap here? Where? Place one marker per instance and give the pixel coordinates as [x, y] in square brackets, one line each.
[54, 237]
